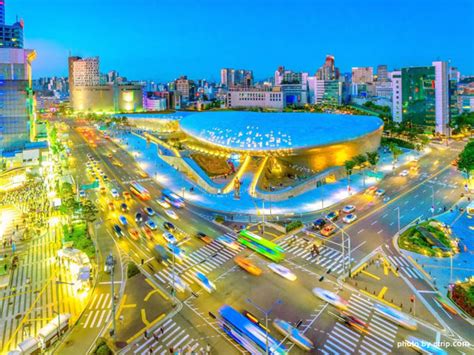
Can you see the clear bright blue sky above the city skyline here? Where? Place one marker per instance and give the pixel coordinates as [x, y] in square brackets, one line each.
[162, 39]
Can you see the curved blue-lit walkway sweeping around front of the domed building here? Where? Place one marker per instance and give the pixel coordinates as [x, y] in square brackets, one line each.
[310, 201]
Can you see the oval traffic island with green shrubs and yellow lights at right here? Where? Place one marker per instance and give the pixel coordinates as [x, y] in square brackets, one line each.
[430, 238]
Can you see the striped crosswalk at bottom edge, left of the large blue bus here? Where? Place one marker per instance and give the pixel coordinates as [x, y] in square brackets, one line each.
[169, 336]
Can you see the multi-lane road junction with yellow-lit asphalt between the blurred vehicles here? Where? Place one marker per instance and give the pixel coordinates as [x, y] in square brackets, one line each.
[409, 197]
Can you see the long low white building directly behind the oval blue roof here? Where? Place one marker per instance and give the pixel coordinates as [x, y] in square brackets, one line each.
[255, 98]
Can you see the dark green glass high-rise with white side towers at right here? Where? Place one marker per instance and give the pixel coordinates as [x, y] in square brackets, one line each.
[425, 96]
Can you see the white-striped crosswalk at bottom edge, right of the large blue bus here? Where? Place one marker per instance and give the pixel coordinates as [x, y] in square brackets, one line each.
[380, 338]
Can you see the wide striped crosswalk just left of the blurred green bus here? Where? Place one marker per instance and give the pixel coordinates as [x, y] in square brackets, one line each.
[206, 259]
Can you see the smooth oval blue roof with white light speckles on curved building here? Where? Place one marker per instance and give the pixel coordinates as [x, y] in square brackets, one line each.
[272, 131]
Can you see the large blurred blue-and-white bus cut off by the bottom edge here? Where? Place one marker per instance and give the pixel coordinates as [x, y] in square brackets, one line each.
[249, 335]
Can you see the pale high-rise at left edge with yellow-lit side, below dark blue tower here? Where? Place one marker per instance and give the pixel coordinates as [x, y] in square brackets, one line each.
[16, 98]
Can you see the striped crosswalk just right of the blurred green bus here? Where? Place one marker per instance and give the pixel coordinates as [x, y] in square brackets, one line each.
[328, 258]
